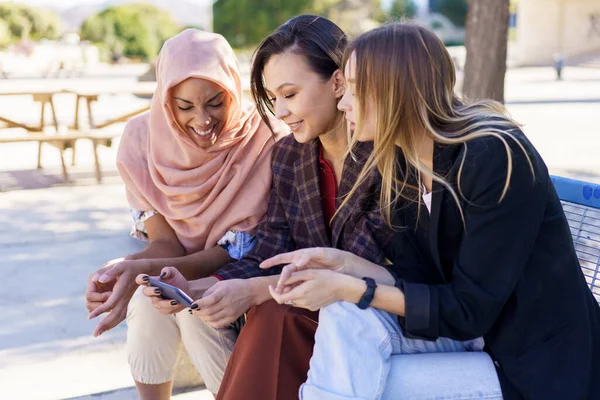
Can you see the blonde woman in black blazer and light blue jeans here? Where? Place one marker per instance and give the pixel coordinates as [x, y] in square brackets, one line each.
[482, 252]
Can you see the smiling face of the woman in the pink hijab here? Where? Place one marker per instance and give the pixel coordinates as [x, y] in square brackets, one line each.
[200, 109]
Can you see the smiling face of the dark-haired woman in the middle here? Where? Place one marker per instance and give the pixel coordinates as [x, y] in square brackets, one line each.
[300, 97]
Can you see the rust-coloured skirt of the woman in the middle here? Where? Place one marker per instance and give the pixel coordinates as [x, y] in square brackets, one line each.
[271, 356]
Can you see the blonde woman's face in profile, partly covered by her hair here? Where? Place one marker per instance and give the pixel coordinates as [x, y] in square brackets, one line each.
[349, 104]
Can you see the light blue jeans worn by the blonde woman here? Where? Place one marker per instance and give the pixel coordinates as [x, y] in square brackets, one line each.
[362, 354]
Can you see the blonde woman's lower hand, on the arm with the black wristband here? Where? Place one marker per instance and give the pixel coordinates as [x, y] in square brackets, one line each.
[316, 288]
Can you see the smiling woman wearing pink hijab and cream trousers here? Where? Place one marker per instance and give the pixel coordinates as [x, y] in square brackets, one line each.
[197, 173]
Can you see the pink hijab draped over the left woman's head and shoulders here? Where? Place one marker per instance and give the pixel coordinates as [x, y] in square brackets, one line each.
[202, 193]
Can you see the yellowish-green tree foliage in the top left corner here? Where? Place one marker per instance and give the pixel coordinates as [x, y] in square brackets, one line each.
[19, 21]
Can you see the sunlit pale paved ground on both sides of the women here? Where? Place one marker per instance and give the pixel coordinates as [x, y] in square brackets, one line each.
[52, 237]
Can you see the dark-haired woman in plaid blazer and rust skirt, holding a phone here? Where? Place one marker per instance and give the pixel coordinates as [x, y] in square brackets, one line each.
[296, 76]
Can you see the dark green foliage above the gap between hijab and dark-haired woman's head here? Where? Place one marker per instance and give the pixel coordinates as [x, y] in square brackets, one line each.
[247, 22]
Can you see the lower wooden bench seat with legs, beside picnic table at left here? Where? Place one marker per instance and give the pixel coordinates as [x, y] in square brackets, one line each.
[63, 142]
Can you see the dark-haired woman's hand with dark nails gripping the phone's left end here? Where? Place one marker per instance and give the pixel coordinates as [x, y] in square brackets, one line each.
[170, 276]
